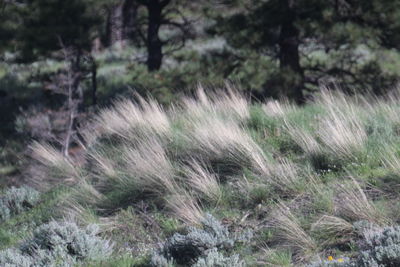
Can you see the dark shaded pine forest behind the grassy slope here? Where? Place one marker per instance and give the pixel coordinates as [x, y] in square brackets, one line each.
[62, 60]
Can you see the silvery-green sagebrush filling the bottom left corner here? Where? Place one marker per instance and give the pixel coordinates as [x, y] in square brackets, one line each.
[58, 244]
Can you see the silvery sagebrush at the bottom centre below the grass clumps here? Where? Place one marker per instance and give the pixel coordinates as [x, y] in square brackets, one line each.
[198, 243]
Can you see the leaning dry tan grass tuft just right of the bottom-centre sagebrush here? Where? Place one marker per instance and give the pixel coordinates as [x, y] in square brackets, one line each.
[290, 233]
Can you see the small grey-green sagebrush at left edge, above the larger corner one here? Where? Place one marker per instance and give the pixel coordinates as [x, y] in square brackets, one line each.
[15, 200]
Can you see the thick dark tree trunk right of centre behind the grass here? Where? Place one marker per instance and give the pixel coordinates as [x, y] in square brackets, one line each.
[289, 57]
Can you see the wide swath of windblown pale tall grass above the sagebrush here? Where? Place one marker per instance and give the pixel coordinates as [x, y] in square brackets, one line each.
[205, 152]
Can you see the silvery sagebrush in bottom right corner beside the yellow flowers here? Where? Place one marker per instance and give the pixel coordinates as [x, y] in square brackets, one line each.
[382, 248]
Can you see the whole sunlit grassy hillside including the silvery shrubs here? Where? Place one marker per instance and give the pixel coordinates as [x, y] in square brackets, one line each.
[217, 181]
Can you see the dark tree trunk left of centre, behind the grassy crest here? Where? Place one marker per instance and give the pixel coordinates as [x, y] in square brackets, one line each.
[154, 44]
